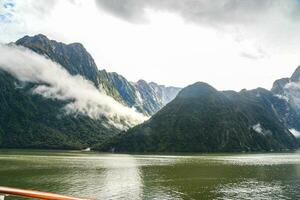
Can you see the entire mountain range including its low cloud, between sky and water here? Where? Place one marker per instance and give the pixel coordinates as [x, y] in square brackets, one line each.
[54, 96]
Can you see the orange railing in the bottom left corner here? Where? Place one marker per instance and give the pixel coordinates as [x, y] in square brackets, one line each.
[35, 194]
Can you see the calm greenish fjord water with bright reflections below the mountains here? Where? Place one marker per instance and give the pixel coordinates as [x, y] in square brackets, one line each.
[121, 176]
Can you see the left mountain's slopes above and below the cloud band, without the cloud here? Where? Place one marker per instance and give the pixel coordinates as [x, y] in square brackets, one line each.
[28, 120]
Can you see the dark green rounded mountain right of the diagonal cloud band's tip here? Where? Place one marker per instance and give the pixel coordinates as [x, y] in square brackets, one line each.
[202, 119]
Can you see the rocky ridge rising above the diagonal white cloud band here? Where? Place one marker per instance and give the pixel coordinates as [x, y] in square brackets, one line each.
[146, 98]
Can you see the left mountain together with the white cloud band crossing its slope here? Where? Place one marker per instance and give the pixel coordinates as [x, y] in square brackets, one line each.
[54, 96]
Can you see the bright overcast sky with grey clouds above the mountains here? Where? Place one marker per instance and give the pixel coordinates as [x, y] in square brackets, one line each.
[231, 44]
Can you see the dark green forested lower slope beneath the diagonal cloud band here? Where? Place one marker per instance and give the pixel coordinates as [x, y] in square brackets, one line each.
[32, 121]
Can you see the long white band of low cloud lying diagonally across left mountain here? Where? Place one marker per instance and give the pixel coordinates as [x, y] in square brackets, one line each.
[55, 82]
